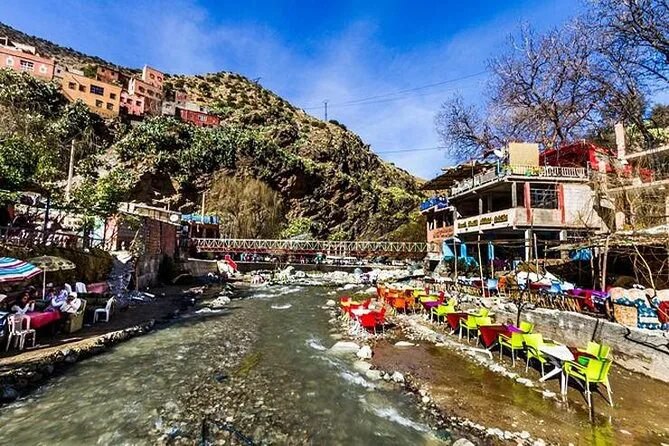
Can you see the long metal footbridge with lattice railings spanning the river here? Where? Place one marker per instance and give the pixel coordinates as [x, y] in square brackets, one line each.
[309, 246]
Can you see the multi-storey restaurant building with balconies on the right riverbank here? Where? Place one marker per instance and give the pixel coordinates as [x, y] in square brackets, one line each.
[517, 205]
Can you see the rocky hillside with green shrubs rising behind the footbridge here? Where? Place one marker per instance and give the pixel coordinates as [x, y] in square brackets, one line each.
[269, 170]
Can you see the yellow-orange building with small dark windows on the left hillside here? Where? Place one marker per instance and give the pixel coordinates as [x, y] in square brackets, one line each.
[102, 98]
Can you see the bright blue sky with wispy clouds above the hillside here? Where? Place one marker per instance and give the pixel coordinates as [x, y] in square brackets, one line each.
[309, 51]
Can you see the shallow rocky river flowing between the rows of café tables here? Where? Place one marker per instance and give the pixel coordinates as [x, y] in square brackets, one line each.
[261, 367]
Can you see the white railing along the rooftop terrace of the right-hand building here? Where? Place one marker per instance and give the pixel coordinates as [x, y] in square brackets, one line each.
[495, 174]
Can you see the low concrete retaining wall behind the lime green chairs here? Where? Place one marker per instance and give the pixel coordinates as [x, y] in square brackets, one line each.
[641, 351]
